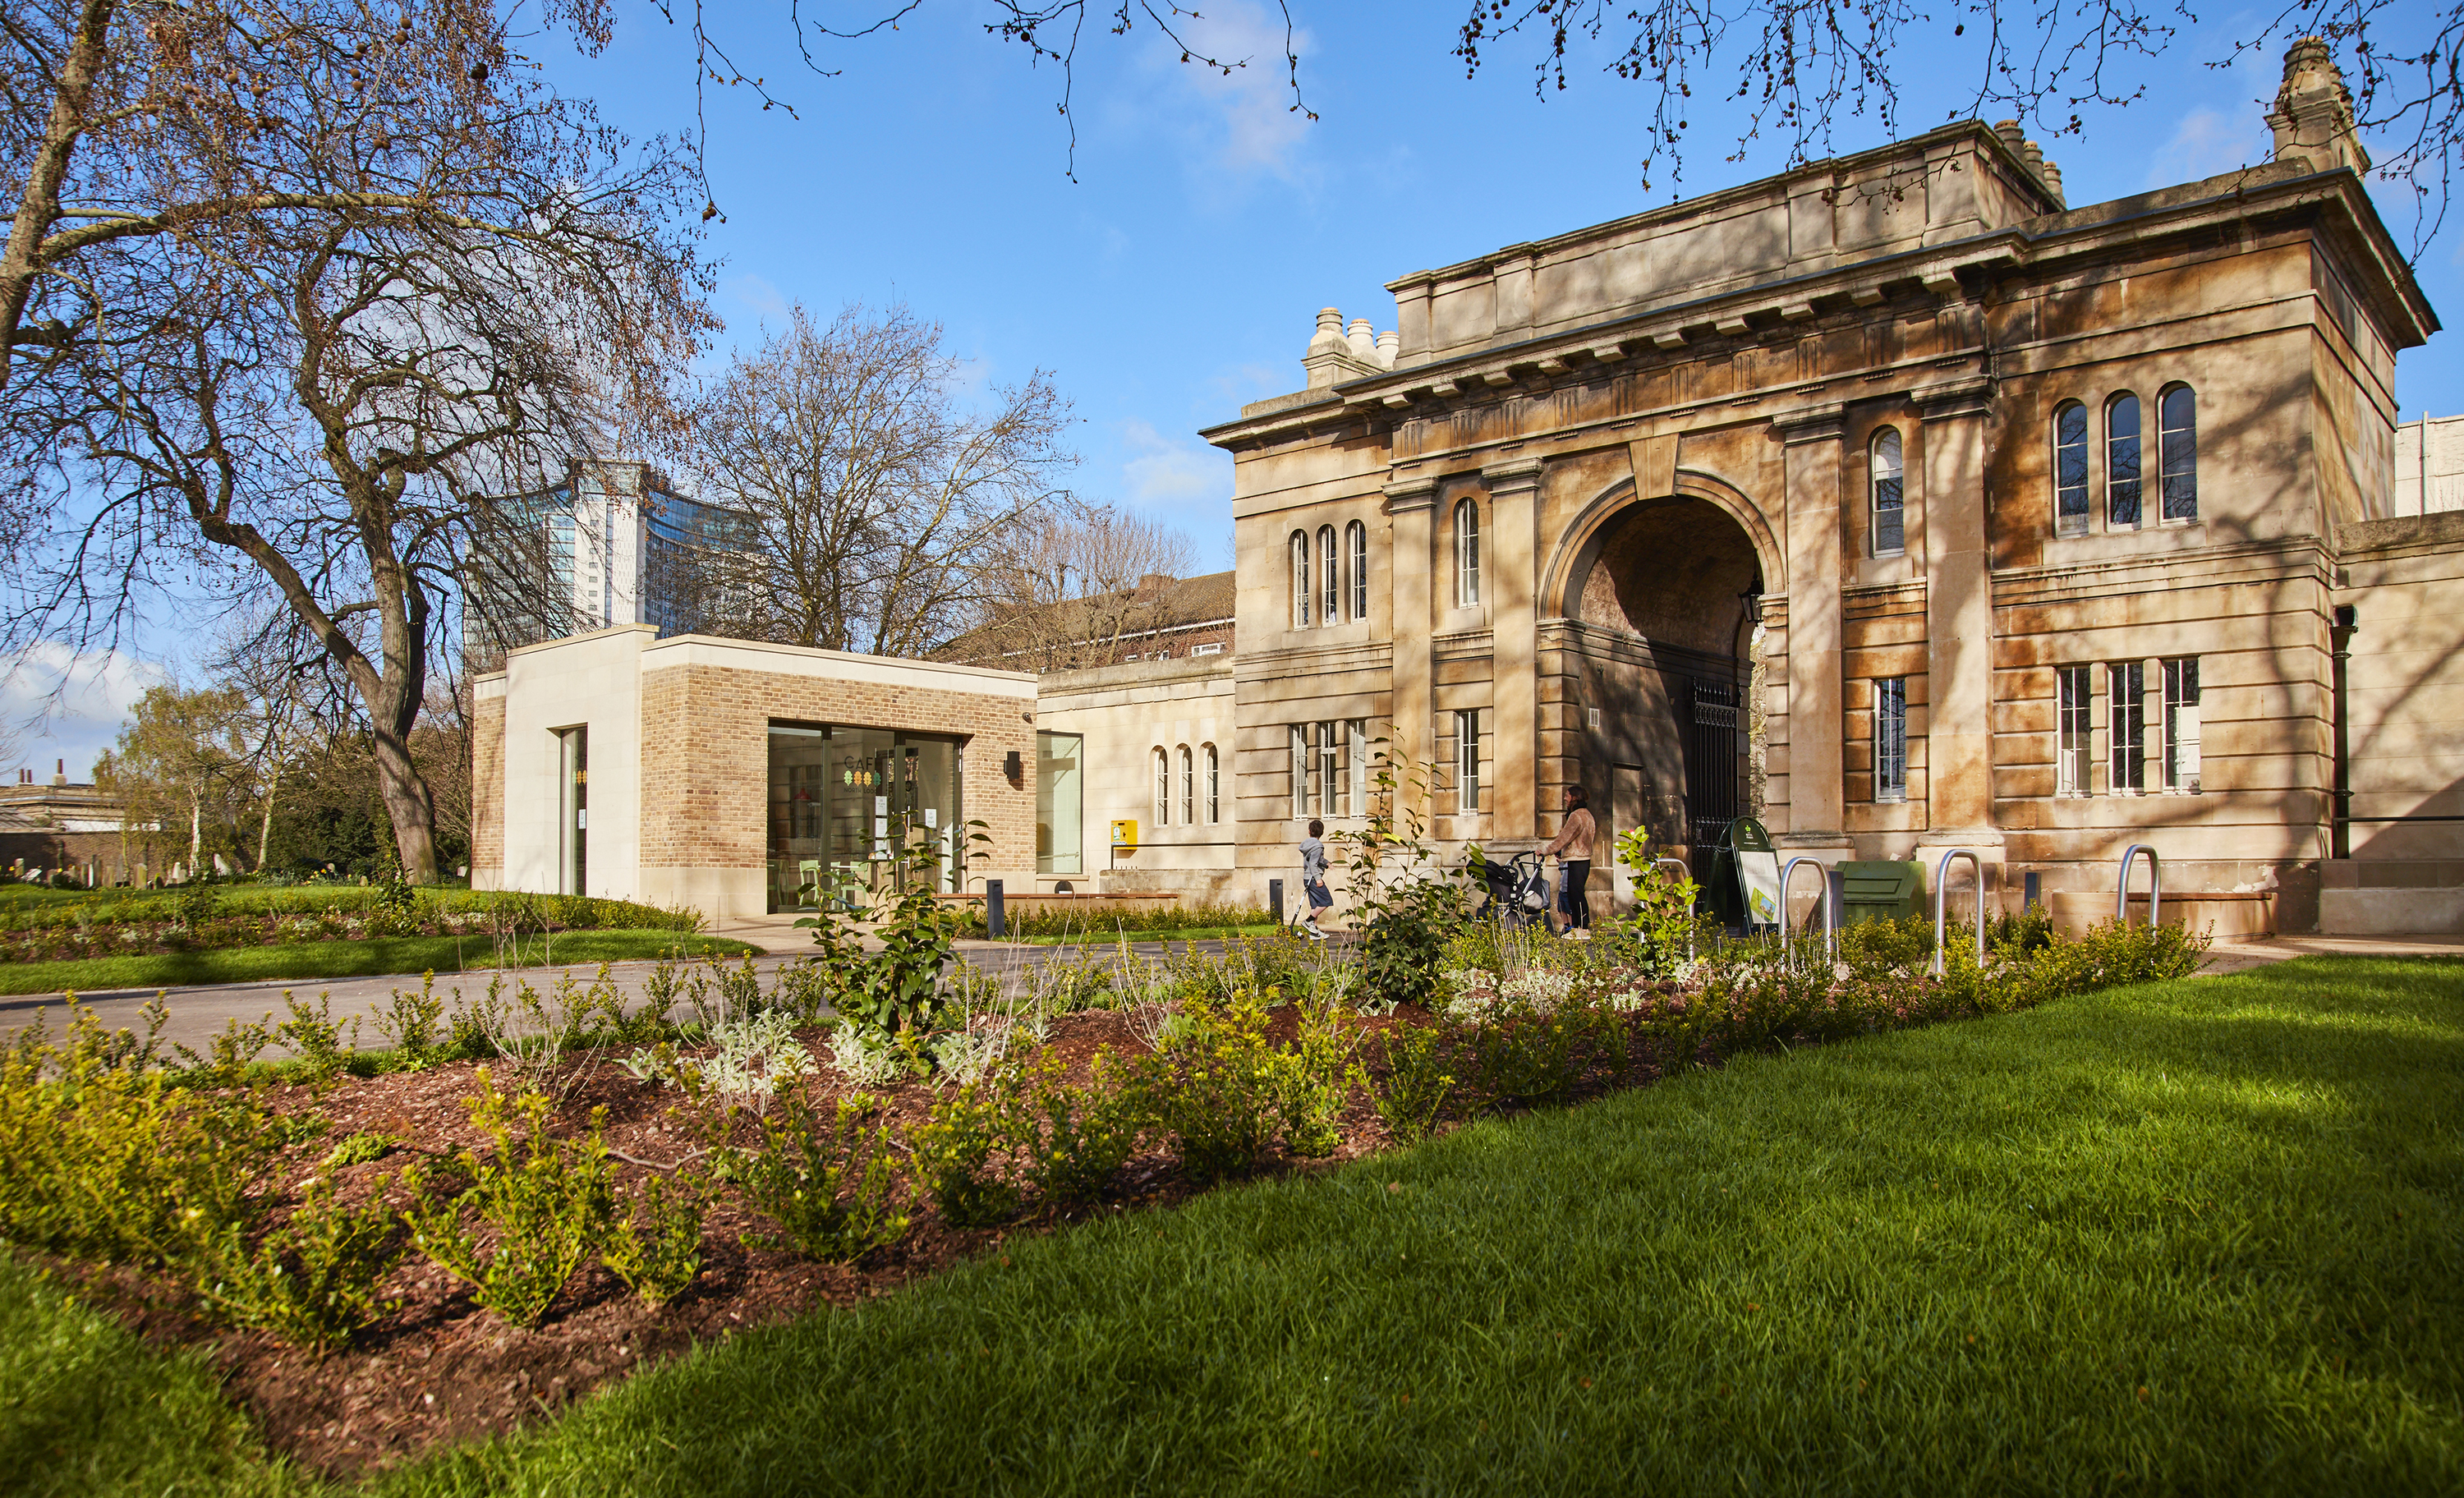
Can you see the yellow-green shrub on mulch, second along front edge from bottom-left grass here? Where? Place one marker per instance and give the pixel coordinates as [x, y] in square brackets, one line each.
[546, 1199]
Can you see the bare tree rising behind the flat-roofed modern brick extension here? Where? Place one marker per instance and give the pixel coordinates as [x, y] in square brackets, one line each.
[873, 496]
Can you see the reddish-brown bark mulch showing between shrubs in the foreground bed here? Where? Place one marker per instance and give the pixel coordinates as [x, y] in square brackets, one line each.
[445, 1371]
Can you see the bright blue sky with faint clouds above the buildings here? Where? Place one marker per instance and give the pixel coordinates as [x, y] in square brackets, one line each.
[1184, 267]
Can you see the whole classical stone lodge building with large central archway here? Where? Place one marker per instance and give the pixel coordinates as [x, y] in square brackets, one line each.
[1894, 501]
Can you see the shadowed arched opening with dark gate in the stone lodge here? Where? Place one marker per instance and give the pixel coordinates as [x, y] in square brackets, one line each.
[1655, 659]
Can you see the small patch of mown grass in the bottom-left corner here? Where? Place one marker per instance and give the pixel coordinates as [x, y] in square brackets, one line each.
[87, 1411]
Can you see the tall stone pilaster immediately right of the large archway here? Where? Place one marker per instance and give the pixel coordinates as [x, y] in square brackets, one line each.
[1815, 477]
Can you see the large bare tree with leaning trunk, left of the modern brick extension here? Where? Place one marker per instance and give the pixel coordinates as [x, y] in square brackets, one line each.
[309, 400]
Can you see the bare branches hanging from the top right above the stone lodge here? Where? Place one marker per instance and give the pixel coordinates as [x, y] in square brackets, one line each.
[1802, 68]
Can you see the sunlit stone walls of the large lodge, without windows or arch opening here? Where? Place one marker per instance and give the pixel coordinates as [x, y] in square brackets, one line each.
[1568, 403]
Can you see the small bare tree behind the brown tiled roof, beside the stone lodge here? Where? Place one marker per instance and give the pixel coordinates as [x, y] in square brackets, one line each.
[1073, 585]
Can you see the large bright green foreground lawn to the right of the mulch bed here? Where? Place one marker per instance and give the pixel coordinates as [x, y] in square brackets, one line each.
[2197, 1238]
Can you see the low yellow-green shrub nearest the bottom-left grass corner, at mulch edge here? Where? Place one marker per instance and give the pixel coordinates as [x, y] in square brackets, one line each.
[314, 1280]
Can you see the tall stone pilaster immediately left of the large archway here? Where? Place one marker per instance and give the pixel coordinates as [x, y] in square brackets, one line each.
[1514, 622]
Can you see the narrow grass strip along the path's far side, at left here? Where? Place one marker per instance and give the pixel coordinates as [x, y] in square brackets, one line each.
[349, 960]
